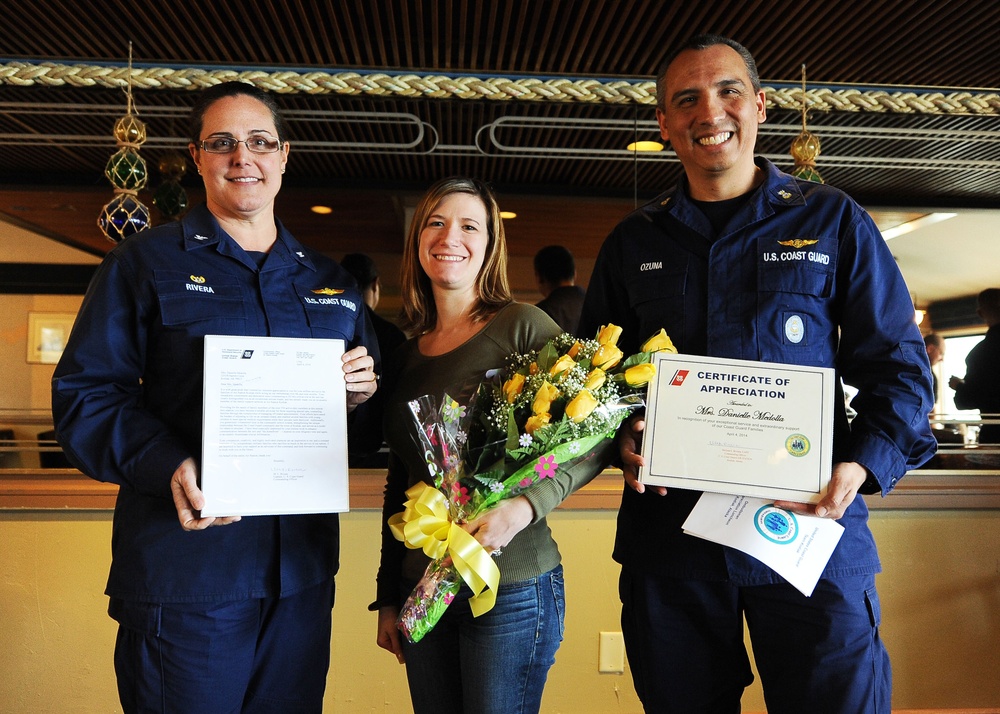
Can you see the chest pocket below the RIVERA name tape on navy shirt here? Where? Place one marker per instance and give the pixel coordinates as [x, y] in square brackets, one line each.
[189, 298]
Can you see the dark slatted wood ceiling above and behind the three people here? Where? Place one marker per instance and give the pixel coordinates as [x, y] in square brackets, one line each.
[560, 164]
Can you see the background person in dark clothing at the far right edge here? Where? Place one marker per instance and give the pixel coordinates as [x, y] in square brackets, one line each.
[980, 389]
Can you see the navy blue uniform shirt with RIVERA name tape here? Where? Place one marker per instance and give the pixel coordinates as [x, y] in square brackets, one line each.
[127, 402]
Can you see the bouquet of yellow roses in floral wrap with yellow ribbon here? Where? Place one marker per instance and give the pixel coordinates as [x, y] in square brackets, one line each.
[547, 409]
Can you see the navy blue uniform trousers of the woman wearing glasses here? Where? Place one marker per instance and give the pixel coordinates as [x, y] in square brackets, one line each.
[265, 656]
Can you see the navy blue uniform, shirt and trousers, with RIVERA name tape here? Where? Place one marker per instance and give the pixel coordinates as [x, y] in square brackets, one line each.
[127, 405]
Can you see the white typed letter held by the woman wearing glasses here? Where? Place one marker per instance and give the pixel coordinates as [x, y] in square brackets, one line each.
[275, 426]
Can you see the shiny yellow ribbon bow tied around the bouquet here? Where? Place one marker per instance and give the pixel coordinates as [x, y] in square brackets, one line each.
[424, 524]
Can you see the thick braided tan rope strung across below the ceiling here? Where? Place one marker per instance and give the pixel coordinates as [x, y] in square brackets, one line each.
[594, 91]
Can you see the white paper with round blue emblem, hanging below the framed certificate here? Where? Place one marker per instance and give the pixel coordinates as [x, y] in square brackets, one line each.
[796, 547]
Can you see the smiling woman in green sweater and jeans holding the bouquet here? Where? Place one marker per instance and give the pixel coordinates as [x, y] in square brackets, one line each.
[457, 301]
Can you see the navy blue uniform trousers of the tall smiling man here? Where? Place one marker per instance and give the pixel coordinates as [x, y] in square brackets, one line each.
[821, 654]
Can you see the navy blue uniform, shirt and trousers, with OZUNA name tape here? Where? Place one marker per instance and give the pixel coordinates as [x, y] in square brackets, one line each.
[799, 275]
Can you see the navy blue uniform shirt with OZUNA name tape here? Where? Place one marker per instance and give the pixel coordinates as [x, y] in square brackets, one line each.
[800, 275]
